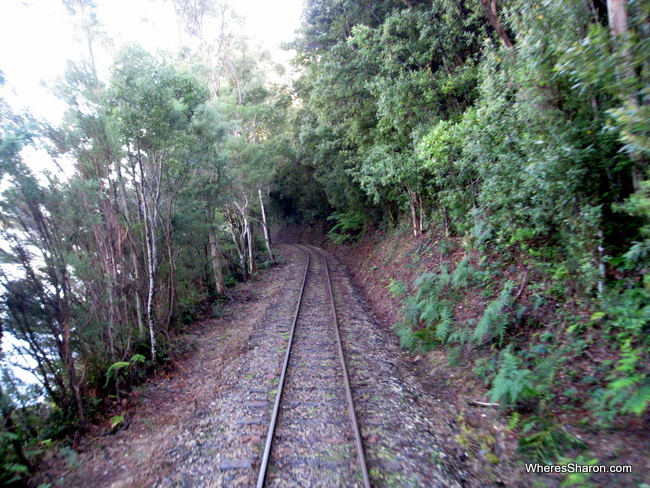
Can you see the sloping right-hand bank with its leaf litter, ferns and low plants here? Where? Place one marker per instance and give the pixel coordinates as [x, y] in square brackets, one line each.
[517, 336]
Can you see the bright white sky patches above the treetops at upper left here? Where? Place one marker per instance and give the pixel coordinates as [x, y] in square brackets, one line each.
[37, 38]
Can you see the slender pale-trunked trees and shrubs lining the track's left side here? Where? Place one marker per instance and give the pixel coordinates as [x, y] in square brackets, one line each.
[153, 203]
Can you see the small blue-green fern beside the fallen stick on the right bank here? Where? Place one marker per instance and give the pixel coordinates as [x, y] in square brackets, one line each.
[512, 381]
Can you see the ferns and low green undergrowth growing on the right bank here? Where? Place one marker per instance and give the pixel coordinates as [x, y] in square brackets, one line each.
[525, 332]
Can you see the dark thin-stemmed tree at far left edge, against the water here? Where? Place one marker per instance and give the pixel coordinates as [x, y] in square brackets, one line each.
[38, 303]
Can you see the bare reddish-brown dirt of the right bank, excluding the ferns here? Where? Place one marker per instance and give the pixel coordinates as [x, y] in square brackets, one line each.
[481, 436]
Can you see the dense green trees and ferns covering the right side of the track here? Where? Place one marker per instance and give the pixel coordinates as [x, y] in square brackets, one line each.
[520, 129]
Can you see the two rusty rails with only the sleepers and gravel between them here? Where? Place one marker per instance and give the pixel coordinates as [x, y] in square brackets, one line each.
[313, 402]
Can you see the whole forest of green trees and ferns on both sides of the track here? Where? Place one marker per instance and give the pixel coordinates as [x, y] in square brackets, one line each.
[521, 128]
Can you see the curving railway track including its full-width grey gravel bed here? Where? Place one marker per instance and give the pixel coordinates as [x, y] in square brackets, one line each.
[313, 444]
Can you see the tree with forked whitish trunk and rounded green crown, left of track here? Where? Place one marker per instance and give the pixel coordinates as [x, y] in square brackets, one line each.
[154, 103]
